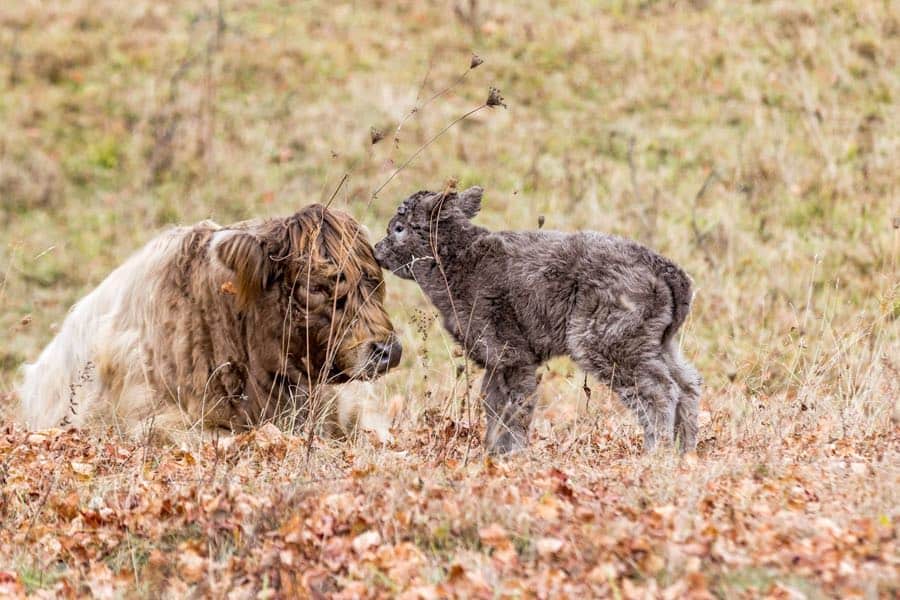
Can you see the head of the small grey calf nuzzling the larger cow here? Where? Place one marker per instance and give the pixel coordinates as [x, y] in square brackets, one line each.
[423, 222]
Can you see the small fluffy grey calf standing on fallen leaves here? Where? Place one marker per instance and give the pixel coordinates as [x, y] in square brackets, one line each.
[515, 299]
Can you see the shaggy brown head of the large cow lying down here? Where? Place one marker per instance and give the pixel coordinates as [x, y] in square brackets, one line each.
[311, 297]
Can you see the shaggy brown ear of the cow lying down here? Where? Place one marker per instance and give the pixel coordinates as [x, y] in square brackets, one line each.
[247, 257]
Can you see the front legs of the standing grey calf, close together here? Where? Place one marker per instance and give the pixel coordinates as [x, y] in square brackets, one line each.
[509, 405]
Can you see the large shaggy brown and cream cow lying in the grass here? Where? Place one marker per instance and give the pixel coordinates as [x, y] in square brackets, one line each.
[214, 327]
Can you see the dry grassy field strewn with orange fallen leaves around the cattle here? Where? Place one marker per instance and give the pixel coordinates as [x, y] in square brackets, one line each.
[756, 144]
